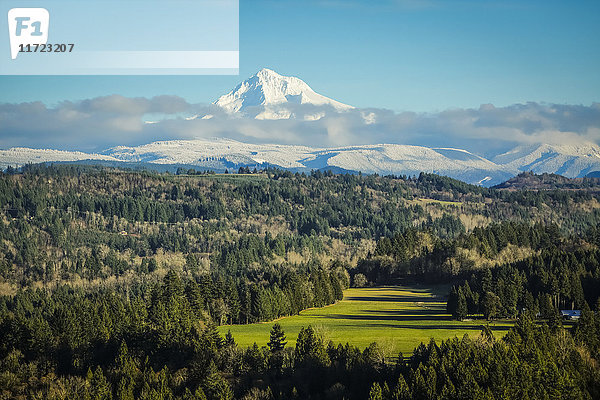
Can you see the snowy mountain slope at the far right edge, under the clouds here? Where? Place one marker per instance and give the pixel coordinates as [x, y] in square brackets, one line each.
[576, 160]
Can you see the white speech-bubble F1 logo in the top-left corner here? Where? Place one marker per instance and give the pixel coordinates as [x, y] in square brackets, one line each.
[27, 26]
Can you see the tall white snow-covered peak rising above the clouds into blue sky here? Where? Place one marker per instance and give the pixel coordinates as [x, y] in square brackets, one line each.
[266, 94]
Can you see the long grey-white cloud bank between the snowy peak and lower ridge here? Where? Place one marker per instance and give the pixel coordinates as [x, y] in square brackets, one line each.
[98, 123]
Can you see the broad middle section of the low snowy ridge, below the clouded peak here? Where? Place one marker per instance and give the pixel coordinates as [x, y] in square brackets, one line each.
[382, 159]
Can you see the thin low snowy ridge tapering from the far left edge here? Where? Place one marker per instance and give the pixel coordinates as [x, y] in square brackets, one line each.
[18, 156]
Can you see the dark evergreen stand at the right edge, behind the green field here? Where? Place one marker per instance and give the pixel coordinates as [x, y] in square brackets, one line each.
[541, 285]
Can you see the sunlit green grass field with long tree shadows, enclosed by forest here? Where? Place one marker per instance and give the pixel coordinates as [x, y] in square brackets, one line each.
[397, 317]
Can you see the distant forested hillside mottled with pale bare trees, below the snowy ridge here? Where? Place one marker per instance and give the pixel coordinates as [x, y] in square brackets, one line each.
[64, 223]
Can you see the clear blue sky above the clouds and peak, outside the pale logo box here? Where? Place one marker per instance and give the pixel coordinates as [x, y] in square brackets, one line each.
[396, 54]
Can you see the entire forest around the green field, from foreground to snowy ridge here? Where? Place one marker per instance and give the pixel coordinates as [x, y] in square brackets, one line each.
[113, 281]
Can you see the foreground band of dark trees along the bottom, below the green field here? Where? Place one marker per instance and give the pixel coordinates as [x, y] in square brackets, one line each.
[531, 361]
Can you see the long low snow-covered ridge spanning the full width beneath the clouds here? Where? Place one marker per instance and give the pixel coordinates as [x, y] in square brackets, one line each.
[384, 159]
